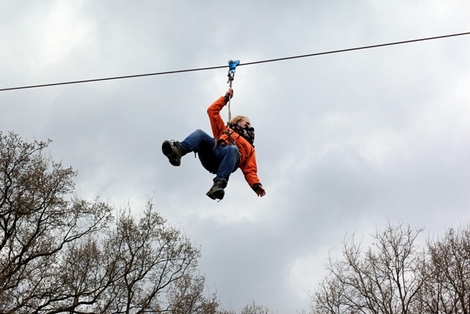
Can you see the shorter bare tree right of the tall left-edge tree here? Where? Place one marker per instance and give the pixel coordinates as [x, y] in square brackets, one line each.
[139, 267]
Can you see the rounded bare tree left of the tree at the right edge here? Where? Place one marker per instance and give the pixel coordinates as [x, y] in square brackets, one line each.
[383, 279]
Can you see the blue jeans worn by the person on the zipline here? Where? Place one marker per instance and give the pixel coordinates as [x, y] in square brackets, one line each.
[219, 159]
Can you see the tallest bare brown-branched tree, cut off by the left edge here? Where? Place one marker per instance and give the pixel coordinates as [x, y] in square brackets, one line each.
[38, 219]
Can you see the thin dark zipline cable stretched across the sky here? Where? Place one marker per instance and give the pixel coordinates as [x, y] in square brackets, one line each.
[241, 64]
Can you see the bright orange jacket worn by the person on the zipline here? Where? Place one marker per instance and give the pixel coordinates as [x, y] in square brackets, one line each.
[247, 152]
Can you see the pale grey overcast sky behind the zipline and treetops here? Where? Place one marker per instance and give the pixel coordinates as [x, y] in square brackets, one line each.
[345, 142]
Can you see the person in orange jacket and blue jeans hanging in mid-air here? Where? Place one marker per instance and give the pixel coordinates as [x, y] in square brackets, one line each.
[230, 148]
